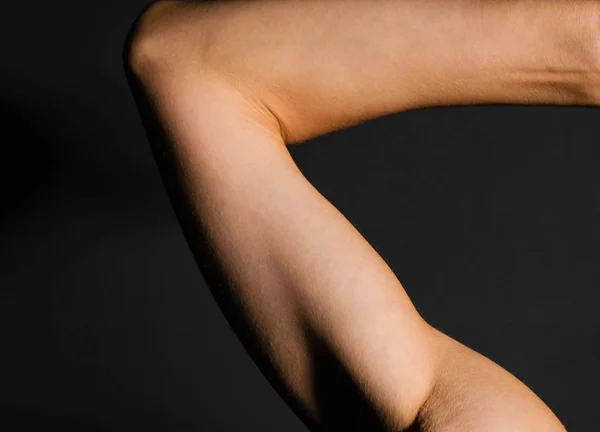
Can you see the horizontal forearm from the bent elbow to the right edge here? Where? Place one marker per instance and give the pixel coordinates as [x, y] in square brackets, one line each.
[320, 66]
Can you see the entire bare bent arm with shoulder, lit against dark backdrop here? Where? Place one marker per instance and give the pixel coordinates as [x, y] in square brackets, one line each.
[223, 87]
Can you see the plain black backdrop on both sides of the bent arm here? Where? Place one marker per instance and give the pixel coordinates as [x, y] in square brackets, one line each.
[488, 215]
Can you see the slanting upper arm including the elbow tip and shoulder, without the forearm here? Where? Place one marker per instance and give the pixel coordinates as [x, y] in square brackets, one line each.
[316, 307]
